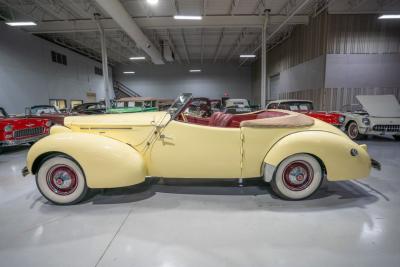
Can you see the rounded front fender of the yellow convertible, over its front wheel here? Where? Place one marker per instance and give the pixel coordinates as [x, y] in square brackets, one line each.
[106, 163]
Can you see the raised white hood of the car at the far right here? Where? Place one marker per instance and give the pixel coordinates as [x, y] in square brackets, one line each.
[380, 105]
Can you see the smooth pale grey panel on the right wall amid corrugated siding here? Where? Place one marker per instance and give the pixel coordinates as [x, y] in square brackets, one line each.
[362, 71]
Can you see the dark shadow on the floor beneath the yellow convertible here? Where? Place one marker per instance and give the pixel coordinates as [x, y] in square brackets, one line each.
[332, 195]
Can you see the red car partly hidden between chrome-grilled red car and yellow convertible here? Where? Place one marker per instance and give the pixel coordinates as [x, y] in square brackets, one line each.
[46, 112]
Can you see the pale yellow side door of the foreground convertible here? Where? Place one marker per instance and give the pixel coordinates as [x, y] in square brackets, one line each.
[185, 150]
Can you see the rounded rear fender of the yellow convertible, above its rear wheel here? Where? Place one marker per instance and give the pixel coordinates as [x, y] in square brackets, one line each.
[334, 152]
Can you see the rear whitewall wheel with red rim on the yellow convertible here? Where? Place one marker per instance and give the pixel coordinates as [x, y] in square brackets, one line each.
[297, 177]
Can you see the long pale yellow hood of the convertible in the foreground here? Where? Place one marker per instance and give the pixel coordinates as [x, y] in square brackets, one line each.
[117, 120]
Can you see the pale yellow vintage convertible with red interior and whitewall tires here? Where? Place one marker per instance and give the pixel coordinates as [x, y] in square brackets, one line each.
[291, 151]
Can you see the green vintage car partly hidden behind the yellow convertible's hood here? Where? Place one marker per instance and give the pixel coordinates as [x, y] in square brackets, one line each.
[139, 104]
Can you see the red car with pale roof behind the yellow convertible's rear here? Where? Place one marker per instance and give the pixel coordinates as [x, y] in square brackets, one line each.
[307, 107]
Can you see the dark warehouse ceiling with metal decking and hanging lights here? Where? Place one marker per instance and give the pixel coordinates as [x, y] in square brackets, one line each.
[229, 27]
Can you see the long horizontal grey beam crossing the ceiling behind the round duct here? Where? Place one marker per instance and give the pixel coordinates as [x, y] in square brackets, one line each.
[165, 23]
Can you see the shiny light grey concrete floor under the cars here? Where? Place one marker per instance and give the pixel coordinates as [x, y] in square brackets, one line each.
[352, 223]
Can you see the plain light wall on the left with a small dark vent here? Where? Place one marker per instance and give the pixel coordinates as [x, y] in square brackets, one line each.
[29, 77]
